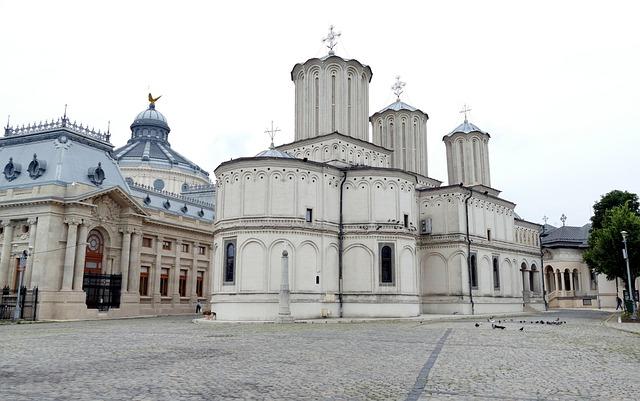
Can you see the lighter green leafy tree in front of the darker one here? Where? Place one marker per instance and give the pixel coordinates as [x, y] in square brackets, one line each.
[604, 254]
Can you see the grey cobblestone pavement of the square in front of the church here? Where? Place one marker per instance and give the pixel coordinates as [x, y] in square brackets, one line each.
[171, 358]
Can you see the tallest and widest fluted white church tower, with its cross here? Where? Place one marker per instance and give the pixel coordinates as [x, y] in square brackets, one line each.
[332, 94]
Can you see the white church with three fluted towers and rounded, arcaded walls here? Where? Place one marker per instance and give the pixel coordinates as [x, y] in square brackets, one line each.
[368, 233]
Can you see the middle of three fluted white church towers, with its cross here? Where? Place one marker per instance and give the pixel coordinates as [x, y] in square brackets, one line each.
[403, 129]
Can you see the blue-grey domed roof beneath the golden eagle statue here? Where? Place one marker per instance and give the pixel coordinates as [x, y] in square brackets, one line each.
[149, 143]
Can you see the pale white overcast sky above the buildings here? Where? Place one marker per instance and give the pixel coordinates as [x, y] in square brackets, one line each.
[556, 84]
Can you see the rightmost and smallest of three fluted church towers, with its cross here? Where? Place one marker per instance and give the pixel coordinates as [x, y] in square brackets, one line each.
[468, 154]
